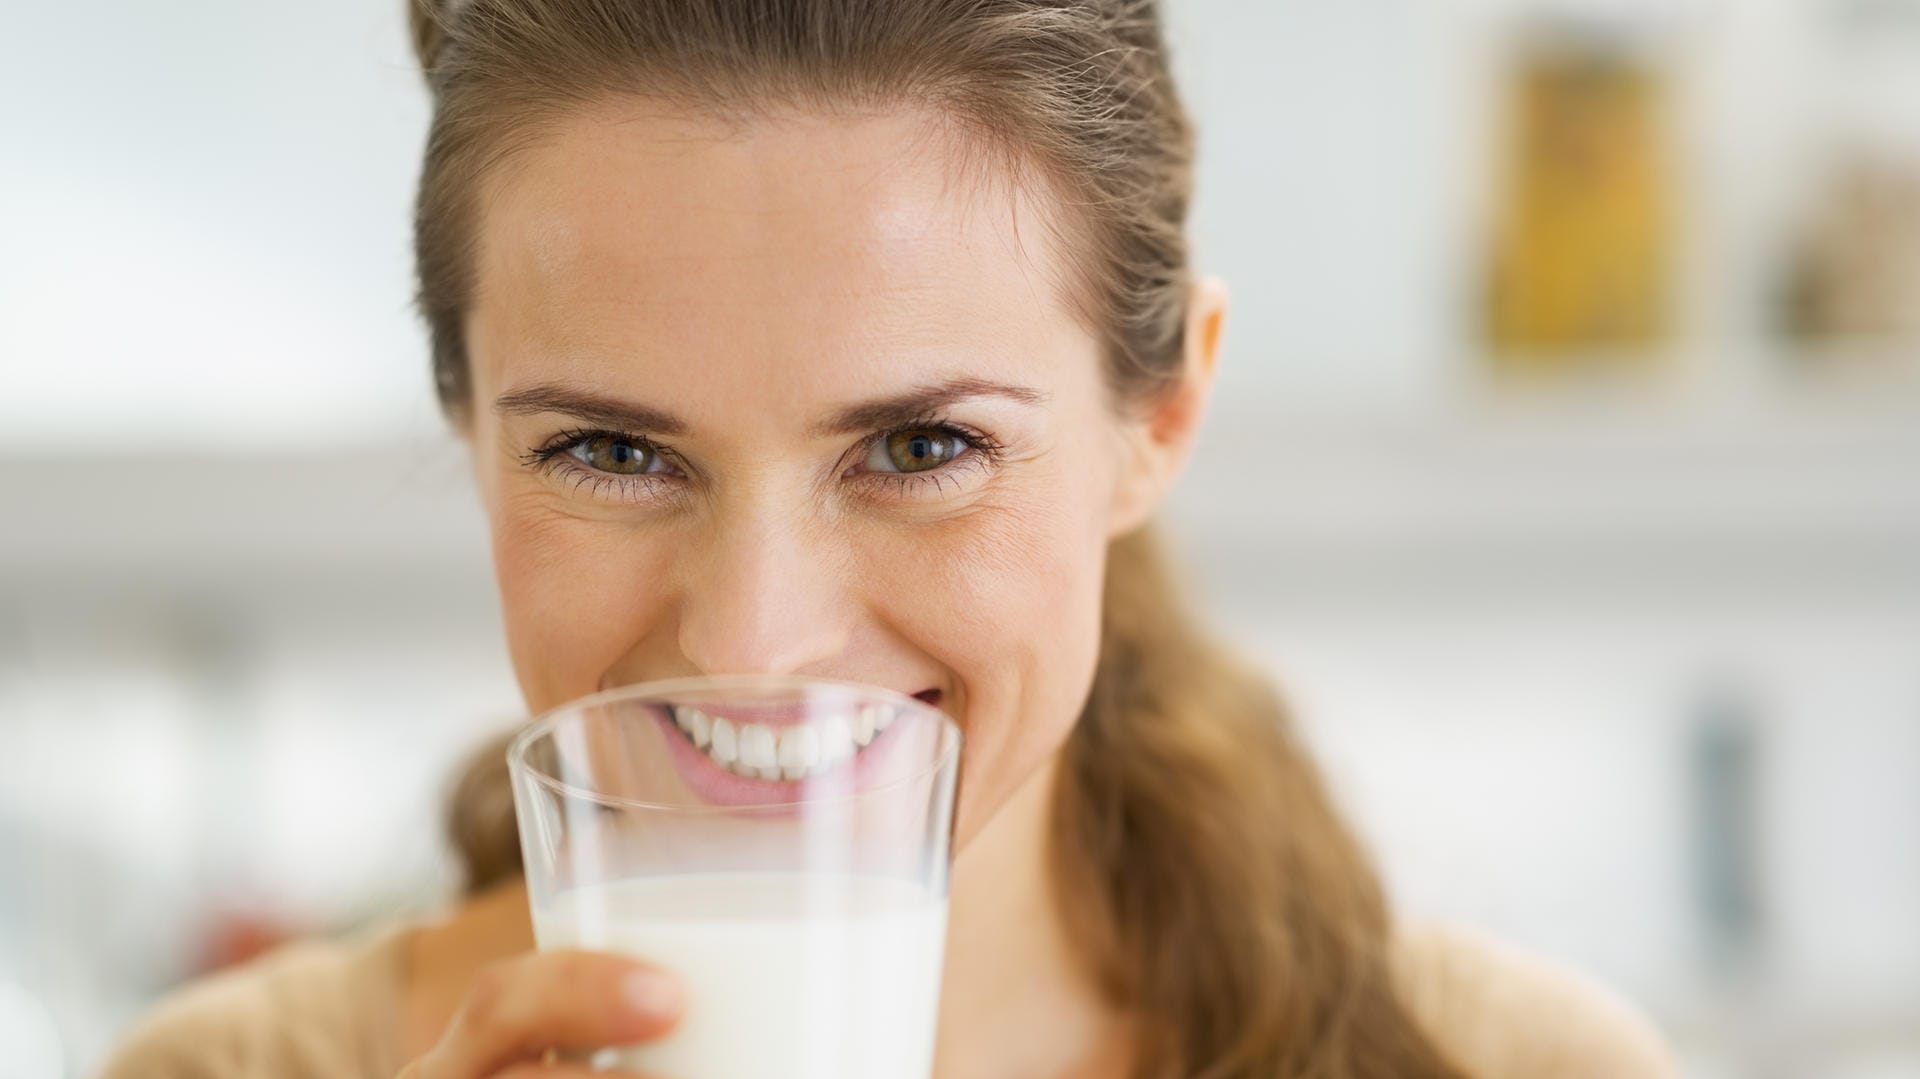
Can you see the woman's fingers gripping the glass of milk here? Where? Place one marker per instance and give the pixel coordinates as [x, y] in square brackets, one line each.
[550, 1001]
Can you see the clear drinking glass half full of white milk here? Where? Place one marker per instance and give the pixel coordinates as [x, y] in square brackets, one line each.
[780, 844]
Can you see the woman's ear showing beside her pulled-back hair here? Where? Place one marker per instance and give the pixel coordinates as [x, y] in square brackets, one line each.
[1161, 433]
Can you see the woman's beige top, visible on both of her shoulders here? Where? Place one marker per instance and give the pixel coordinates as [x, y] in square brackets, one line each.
[329, 1011]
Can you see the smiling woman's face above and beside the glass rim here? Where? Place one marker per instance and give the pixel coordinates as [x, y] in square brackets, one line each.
[802, 396]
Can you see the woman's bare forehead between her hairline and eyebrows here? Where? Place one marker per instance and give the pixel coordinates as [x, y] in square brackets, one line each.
[794, 254]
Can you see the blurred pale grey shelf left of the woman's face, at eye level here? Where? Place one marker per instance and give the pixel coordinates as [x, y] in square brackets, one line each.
[247, 523]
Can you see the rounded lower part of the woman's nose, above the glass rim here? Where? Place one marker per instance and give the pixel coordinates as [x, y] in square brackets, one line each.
[763, 598]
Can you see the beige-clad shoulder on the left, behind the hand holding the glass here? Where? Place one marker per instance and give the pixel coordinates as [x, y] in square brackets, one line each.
[300, 1011]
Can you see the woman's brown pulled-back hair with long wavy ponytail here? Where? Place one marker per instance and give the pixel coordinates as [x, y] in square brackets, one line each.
[1216, 894]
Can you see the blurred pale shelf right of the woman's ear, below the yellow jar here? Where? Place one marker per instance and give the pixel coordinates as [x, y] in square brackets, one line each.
[1562, 491]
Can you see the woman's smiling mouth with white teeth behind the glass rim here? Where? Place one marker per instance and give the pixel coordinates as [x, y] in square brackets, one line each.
[788, 744]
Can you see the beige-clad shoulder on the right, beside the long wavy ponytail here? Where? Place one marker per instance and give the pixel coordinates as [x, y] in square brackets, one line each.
[1508, 1015]
